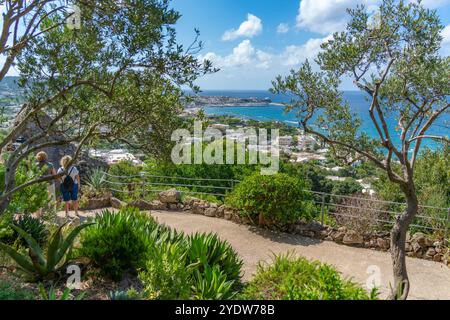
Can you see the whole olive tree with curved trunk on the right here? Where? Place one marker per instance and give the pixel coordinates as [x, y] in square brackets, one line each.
[394, 60]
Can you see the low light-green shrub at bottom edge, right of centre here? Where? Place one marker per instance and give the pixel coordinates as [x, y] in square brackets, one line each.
[290, 278]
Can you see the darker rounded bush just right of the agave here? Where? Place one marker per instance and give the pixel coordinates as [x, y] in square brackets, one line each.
[118, 242]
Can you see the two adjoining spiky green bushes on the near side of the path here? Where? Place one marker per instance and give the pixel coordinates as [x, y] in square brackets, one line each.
[170, 264]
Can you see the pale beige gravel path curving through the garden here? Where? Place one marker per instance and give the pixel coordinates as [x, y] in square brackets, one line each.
[429, 280]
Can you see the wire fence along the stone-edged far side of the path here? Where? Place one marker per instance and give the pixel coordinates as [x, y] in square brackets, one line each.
[358, 212]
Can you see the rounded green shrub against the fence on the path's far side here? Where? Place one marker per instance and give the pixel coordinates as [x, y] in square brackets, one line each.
[280, 199]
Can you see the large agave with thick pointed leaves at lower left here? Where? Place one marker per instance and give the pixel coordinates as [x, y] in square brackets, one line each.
[38, 264]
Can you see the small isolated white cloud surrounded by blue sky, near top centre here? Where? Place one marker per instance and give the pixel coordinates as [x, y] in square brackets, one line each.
[243, 55]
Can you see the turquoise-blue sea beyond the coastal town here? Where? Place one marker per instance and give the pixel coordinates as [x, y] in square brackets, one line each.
[357, 102]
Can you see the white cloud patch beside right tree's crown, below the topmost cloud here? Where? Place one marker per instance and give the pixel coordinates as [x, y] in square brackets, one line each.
[295, 55]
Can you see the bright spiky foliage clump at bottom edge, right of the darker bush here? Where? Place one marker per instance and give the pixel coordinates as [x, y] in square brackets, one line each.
[198, 267]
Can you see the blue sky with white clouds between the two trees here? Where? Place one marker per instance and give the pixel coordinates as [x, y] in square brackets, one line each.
[253, 41]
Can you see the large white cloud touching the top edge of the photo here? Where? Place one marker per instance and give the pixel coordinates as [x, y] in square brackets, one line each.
[327, 16]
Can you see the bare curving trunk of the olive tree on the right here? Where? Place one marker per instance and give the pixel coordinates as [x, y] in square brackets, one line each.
[401, 285]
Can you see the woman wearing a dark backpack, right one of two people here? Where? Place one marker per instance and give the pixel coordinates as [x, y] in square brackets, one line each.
[70, 184]
